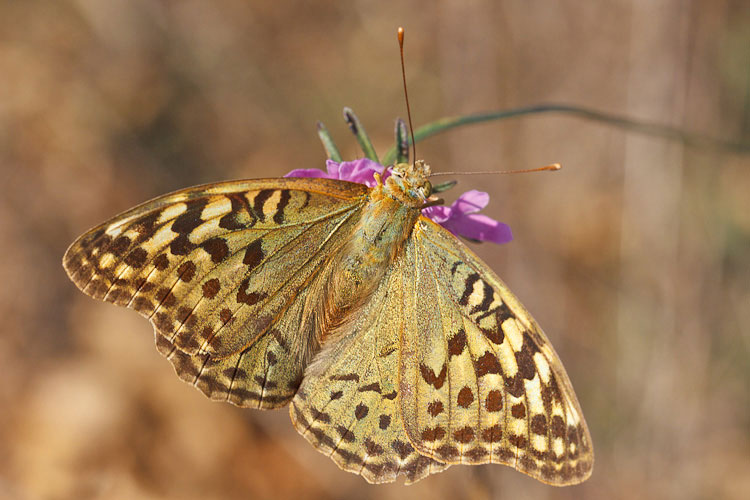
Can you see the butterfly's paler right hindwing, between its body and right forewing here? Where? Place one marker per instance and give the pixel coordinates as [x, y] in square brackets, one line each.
[348, 403]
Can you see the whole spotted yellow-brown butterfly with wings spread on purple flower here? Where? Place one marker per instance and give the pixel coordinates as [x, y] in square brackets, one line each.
[397, 349]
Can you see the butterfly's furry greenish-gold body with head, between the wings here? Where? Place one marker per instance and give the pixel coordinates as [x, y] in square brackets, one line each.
[388, 218]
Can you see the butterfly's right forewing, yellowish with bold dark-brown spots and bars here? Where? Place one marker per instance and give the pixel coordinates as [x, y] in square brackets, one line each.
[479, 381]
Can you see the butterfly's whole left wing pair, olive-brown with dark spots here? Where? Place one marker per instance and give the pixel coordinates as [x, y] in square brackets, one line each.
[225, 273]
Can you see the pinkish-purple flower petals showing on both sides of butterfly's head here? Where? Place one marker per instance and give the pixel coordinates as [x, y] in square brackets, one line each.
[461, 218]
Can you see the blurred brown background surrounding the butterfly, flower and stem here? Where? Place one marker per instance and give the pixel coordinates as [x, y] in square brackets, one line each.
[634, 258]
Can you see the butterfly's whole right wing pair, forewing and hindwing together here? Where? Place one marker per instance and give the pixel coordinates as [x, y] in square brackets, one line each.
[443, 366]
